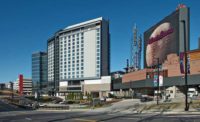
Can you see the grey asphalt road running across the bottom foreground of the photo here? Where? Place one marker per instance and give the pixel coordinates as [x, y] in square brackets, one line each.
[39, 116]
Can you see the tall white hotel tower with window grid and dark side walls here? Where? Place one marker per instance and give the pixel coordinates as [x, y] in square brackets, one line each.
[78, 53]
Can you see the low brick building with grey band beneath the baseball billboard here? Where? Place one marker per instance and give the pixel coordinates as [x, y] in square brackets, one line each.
[171, 80]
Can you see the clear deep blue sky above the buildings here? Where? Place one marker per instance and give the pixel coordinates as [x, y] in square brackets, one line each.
[25, 26]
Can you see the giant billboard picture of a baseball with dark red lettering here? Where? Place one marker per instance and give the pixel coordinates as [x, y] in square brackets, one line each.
[161, 40]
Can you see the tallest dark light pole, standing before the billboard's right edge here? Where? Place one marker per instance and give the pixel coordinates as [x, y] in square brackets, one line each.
[186, 69]
